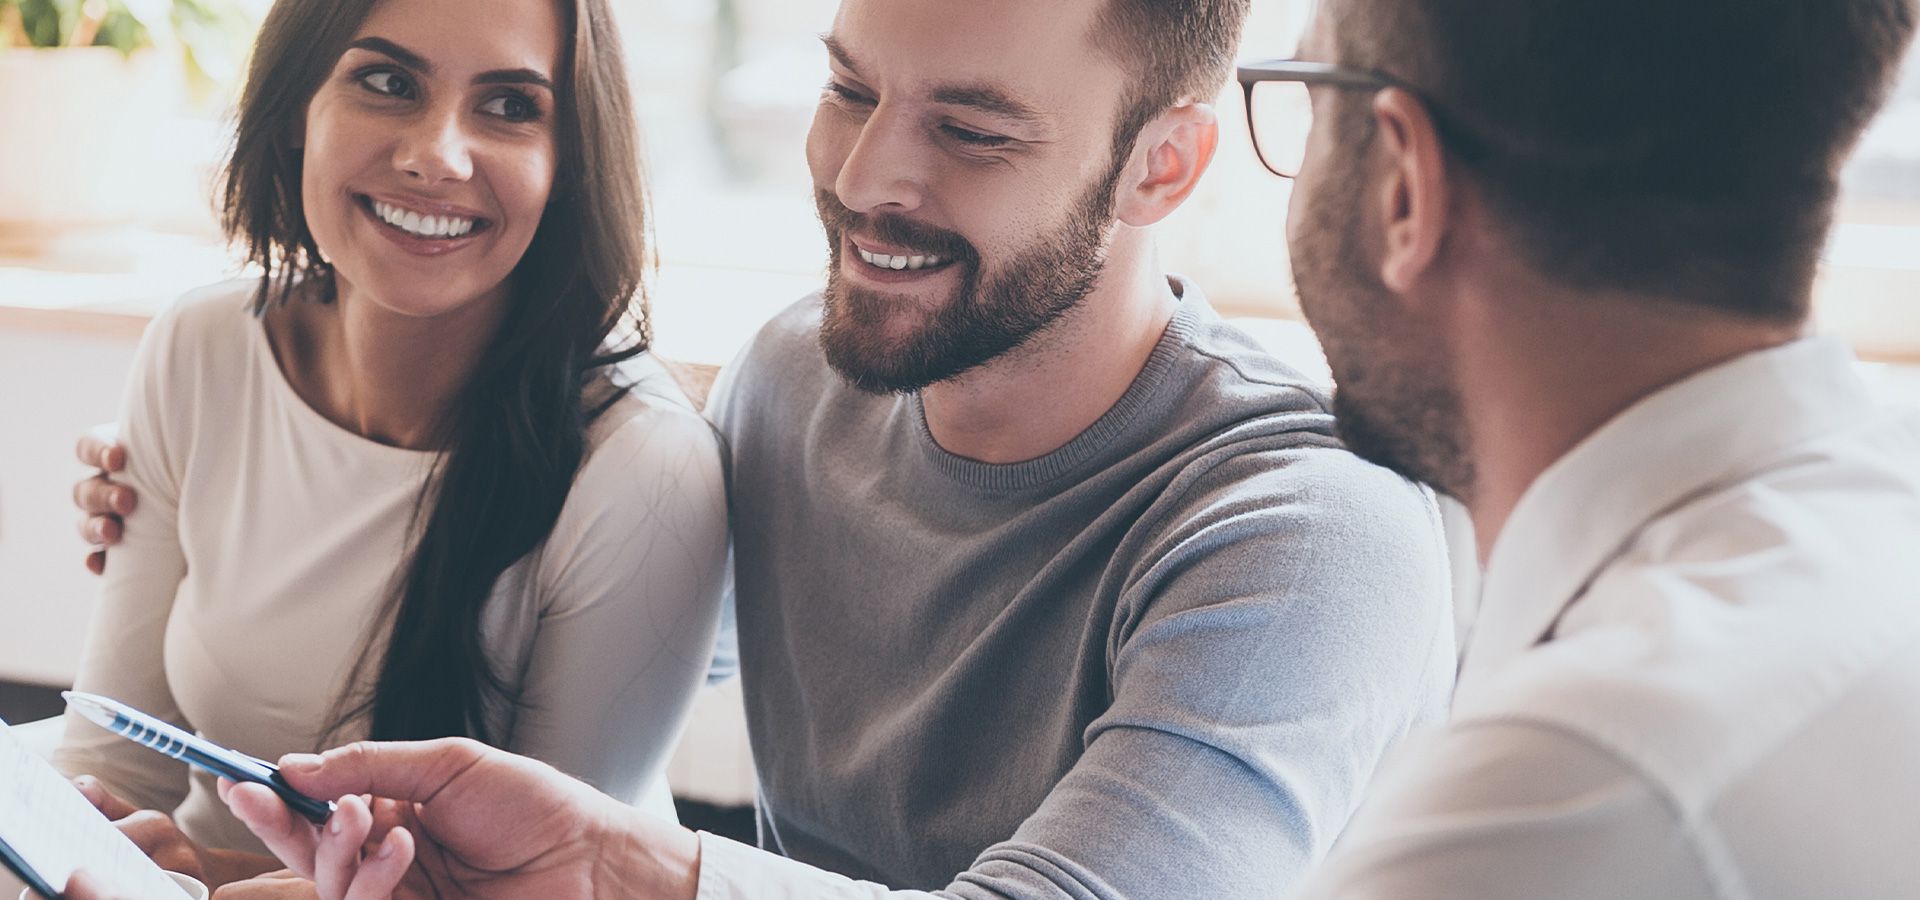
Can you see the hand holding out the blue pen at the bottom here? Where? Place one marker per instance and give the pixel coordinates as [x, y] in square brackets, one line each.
[471, 820]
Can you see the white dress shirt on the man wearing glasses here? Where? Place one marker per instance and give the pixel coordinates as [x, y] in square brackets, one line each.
[1696, 671]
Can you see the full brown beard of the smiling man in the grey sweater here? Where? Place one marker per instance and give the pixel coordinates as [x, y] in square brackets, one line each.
[992, 312]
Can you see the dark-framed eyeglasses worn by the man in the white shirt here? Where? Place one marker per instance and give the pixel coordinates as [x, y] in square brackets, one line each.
[1280, 112]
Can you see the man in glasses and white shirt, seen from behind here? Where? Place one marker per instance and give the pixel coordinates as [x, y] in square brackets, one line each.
[1560, 254]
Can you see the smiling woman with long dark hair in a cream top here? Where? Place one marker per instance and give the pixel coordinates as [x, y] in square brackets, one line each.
[433, 485]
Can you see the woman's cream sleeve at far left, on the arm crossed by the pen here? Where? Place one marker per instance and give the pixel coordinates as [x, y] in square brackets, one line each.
[126, 640]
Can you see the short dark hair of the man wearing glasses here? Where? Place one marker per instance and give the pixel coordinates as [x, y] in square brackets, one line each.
[1654, 147]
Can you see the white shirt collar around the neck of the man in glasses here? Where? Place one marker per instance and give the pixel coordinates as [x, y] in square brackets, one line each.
[1702, 433]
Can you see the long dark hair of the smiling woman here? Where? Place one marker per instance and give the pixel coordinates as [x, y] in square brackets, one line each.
[516, 435]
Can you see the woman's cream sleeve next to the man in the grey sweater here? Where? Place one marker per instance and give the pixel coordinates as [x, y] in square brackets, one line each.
[633, 579]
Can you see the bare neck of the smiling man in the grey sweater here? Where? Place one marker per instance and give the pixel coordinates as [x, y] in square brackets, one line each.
[1036, 400]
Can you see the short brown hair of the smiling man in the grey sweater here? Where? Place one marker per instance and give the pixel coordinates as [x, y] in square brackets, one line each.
[1174, 51]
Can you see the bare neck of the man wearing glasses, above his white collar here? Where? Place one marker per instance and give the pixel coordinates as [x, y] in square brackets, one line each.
[1537, 385]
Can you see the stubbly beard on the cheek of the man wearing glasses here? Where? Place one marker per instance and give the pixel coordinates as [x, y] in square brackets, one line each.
[1395, 404]
